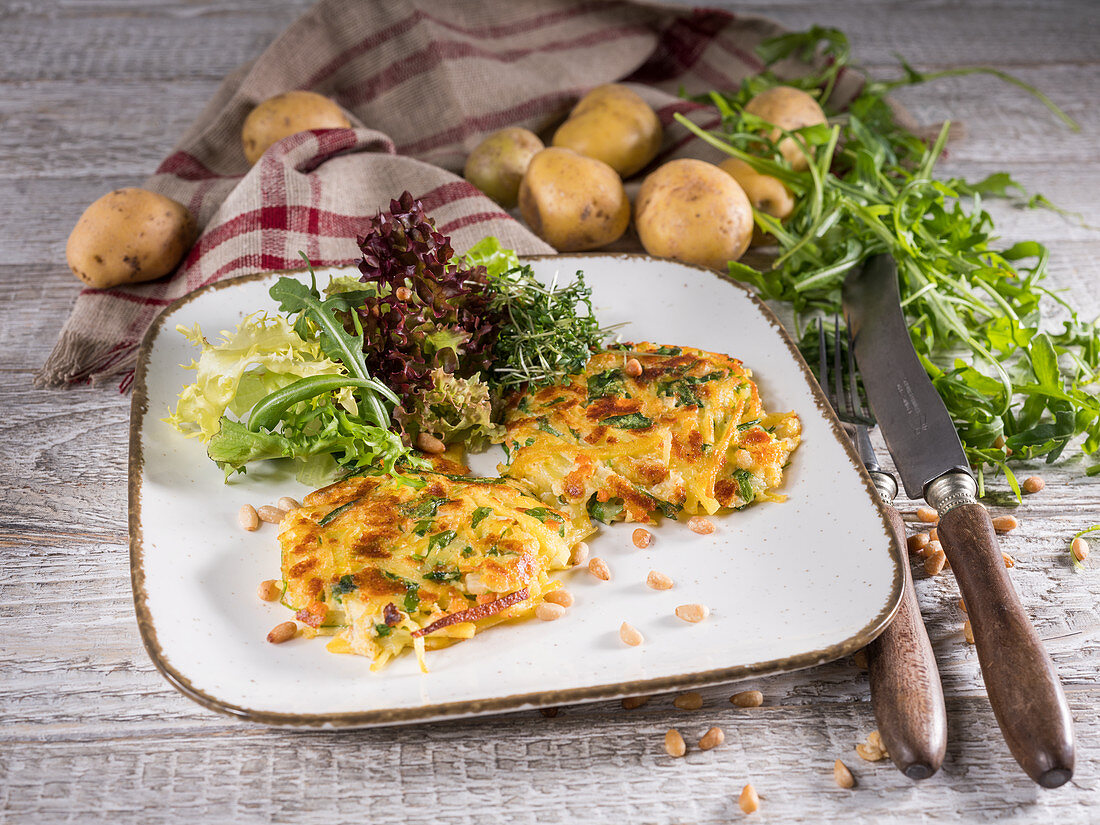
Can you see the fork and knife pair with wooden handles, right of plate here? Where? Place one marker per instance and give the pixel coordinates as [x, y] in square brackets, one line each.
[1024, 687]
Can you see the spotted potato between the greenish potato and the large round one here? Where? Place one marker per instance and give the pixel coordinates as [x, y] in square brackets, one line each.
[574, 203]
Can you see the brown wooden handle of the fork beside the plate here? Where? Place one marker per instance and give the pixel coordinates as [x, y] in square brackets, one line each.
[906, 690]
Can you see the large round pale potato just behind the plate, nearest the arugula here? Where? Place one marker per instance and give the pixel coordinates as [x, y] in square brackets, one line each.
[694, 212]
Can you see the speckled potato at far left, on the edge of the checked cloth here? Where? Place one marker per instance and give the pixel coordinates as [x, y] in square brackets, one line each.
[129, 236]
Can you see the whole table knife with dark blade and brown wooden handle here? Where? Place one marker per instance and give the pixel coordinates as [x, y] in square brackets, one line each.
[1022, 685]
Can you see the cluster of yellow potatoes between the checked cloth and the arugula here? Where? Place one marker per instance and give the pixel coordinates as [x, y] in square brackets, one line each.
[571, 193]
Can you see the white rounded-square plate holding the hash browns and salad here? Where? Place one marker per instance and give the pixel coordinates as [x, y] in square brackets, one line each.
[789, 586]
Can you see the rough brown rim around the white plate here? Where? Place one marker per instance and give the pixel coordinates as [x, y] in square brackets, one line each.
[139, 412]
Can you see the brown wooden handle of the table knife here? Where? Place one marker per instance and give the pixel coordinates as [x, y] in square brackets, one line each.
[1021, 681]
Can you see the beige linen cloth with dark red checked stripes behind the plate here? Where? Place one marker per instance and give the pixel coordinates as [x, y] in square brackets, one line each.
[423, 82]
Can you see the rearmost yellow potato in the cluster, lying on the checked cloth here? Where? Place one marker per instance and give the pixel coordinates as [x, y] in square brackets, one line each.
[613, 125]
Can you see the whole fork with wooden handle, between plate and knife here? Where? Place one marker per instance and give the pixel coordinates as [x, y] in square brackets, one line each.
[906, 691]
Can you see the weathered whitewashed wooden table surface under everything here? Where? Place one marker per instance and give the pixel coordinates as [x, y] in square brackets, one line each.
[92, 96]
